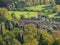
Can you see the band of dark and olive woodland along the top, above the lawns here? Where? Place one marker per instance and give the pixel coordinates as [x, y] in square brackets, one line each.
[17, 5]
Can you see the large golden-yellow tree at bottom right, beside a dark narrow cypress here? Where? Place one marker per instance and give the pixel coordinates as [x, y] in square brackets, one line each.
[45, 38]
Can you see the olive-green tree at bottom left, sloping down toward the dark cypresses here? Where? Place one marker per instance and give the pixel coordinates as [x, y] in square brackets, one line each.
[11, 41]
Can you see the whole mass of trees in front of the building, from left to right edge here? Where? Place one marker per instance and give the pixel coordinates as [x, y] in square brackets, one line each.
[14, 33]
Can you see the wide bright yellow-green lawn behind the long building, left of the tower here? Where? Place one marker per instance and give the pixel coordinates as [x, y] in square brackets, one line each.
[18, 13]
